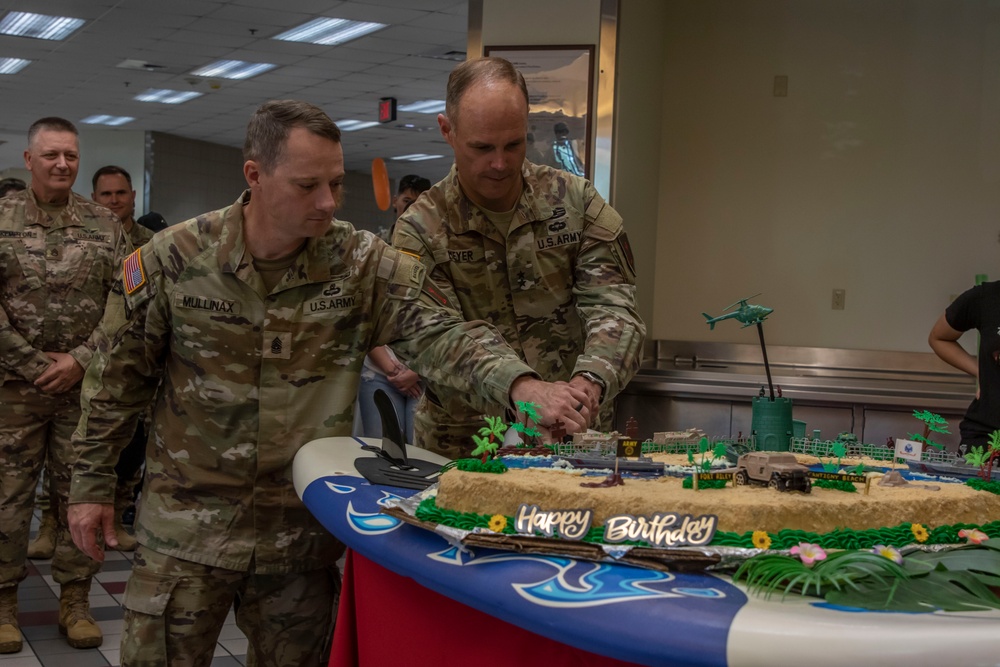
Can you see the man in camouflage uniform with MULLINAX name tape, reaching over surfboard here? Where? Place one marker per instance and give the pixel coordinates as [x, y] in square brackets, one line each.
[258, 317]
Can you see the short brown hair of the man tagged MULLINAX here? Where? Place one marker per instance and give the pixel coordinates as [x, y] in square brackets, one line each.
[274, 120]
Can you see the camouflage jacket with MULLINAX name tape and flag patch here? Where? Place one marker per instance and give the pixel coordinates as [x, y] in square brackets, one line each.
[249, 377]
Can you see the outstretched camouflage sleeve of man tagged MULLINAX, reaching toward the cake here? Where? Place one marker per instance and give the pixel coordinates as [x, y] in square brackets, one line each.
[436, 342]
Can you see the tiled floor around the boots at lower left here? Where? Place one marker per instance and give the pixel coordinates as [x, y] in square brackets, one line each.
[38, 607]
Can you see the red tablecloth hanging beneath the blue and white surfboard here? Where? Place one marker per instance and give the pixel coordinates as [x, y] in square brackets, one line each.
[386, 620]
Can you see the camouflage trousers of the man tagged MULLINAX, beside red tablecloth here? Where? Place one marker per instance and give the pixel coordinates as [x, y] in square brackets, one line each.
[175, 609]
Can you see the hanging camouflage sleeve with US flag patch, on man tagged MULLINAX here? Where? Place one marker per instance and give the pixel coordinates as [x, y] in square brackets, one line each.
[121, 380]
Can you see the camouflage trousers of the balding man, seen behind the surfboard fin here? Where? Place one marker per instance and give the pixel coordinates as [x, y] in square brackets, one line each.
[448, 431]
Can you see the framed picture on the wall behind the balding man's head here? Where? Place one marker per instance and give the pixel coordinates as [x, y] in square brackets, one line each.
[560, 102]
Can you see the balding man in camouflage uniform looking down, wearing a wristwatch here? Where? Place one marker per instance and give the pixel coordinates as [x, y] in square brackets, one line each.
[533, 250]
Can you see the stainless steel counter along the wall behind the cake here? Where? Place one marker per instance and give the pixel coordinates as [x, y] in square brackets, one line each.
[870, 393]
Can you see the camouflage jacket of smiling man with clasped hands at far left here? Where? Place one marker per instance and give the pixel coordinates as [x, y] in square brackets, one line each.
[55, 276]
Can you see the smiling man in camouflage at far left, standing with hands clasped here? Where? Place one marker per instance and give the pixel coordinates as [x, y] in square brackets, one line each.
[57, 262]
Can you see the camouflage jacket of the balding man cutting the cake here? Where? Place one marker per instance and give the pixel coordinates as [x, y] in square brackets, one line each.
[560, 287]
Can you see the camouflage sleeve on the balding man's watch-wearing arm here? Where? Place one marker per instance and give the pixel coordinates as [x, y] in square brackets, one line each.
[604, 289]
